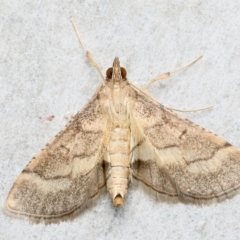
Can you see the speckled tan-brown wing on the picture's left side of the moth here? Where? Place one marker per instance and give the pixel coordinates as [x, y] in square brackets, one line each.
[66, 173]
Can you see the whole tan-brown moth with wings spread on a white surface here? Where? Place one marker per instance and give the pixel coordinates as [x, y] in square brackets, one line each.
[121, 133]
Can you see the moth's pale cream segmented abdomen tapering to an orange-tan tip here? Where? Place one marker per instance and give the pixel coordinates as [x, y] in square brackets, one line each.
[118, 164]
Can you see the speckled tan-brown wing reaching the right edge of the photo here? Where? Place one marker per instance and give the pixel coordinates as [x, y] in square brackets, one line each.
[178, 158]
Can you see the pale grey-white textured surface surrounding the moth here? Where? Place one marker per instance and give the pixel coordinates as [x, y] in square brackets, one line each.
[43, 72]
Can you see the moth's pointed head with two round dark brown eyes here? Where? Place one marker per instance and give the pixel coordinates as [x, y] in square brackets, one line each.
[116, 73]
